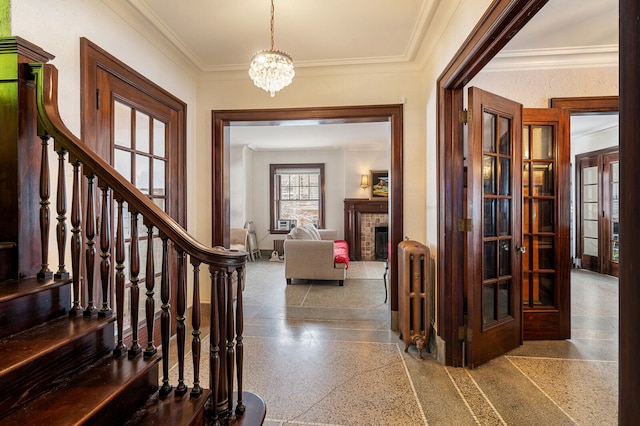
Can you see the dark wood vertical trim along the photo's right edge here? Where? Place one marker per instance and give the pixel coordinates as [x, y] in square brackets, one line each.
[629, 314]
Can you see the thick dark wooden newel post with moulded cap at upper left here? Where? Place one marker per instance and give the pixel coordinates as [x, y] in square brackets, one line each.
[20, 155]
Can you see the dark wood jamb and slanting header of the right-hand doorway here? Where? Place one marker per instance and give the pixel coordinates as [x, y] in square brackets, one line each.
[501, 22]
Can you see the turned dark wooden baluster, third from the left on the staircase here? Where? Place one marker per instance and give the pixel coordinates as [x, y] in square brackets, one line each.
[76, 240]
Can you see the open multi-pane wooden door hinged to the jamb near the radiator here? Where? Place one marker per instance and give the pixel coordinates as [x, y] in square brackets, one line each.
[494, 239]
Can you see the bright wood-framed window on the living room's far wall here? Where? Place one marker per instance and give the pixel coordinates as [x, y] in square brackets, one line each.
[297, 196]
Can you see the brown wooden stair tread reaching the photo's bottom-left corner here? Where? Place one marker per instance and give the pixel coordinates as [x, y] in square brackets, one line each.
[84, 395]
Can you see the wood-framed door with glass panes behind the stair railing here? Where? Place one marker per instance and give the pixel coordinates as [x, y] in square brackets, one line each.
[138, 136]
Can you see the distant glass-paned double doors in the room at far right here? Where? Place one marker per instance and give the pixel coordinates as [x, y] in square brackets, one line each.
[597, 201]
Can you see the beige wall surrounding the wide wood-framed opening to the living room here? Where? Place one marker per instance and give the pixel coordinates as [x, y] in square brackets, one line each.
[361, 86]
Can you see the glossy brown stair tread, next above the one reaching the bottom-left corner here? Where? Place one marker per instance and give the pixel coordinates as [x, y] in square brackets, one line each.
[21, 348]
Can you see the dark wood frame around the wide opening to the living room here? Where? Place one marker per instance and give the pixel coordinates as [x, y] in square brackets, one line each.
[221, 120]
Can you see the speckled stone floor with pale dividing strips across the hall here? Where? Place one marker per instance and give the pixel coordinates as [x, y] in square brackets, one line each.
[320, 354]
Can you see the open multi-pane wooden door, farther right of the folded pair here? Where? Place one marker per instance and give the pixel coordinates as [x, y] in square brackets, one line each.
[546, 278]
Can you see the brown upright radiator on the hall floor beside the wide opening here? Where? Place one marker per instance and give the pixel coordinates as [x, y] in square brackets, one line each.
[414, 295]
